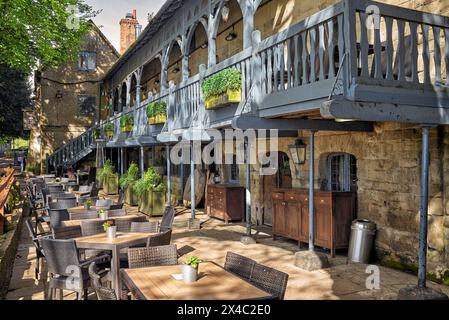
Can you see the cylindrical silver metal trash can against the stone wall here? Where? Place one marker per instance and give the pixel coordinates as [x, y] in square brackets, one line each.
[361, 242]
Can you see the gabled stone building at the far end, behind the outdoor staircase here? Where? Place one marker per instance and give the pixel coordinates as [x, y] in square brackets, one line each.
[67, 97]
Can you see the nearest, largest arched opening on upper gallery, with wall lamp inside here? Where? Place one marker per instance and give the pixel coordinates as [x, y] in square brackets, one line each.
[230, 33]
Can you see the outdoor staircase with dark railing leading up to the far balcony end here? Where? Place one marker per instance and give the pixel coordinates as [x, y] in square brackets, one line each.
[73, 151]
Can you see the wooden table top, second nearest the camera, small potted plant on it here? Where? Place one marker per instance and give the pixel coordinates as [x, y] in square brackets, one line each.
[102, 242]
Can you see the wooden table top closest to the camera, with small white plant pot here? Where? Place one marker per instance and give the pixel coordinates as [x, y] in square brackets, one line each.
[214, 283]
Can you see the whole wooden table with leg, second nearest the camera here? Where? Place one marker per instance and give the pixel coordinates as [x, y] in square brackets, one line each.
[122, 241]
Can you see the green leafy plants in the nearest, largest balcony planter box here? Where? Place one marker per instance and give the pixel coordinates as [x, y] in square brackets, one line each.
[221, 82]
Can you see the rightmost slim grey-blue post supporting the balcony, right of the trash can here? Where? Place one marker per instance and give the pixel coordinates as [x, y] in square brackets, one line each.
[422, 256]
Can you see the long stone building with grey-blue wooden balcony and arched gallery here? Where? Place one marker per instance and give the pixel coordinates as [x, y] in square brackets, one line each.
[364, 77]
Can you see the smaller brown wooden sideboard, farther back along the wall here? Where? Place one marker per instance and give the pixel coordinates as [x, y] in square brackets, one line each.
[225, 202]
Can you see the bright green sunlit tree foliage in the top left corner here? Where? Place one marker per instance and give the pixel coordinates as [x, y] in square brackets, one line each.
[41, 33]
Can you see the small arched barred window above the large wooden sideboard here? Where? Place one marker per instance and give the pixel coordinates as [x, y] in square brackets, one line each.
[342, 172]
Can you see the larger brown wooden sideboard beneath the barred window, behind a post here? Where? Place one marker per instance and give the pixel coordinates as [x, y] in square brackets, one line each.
[334, 213]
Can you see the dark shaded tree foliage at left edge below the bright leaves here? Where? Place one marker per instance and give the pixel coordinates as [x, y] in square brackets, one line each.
[14, 97]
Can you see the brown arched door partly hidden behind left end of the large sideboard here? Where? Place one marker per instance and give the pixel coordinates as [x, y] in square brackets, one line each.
[281, 179]
